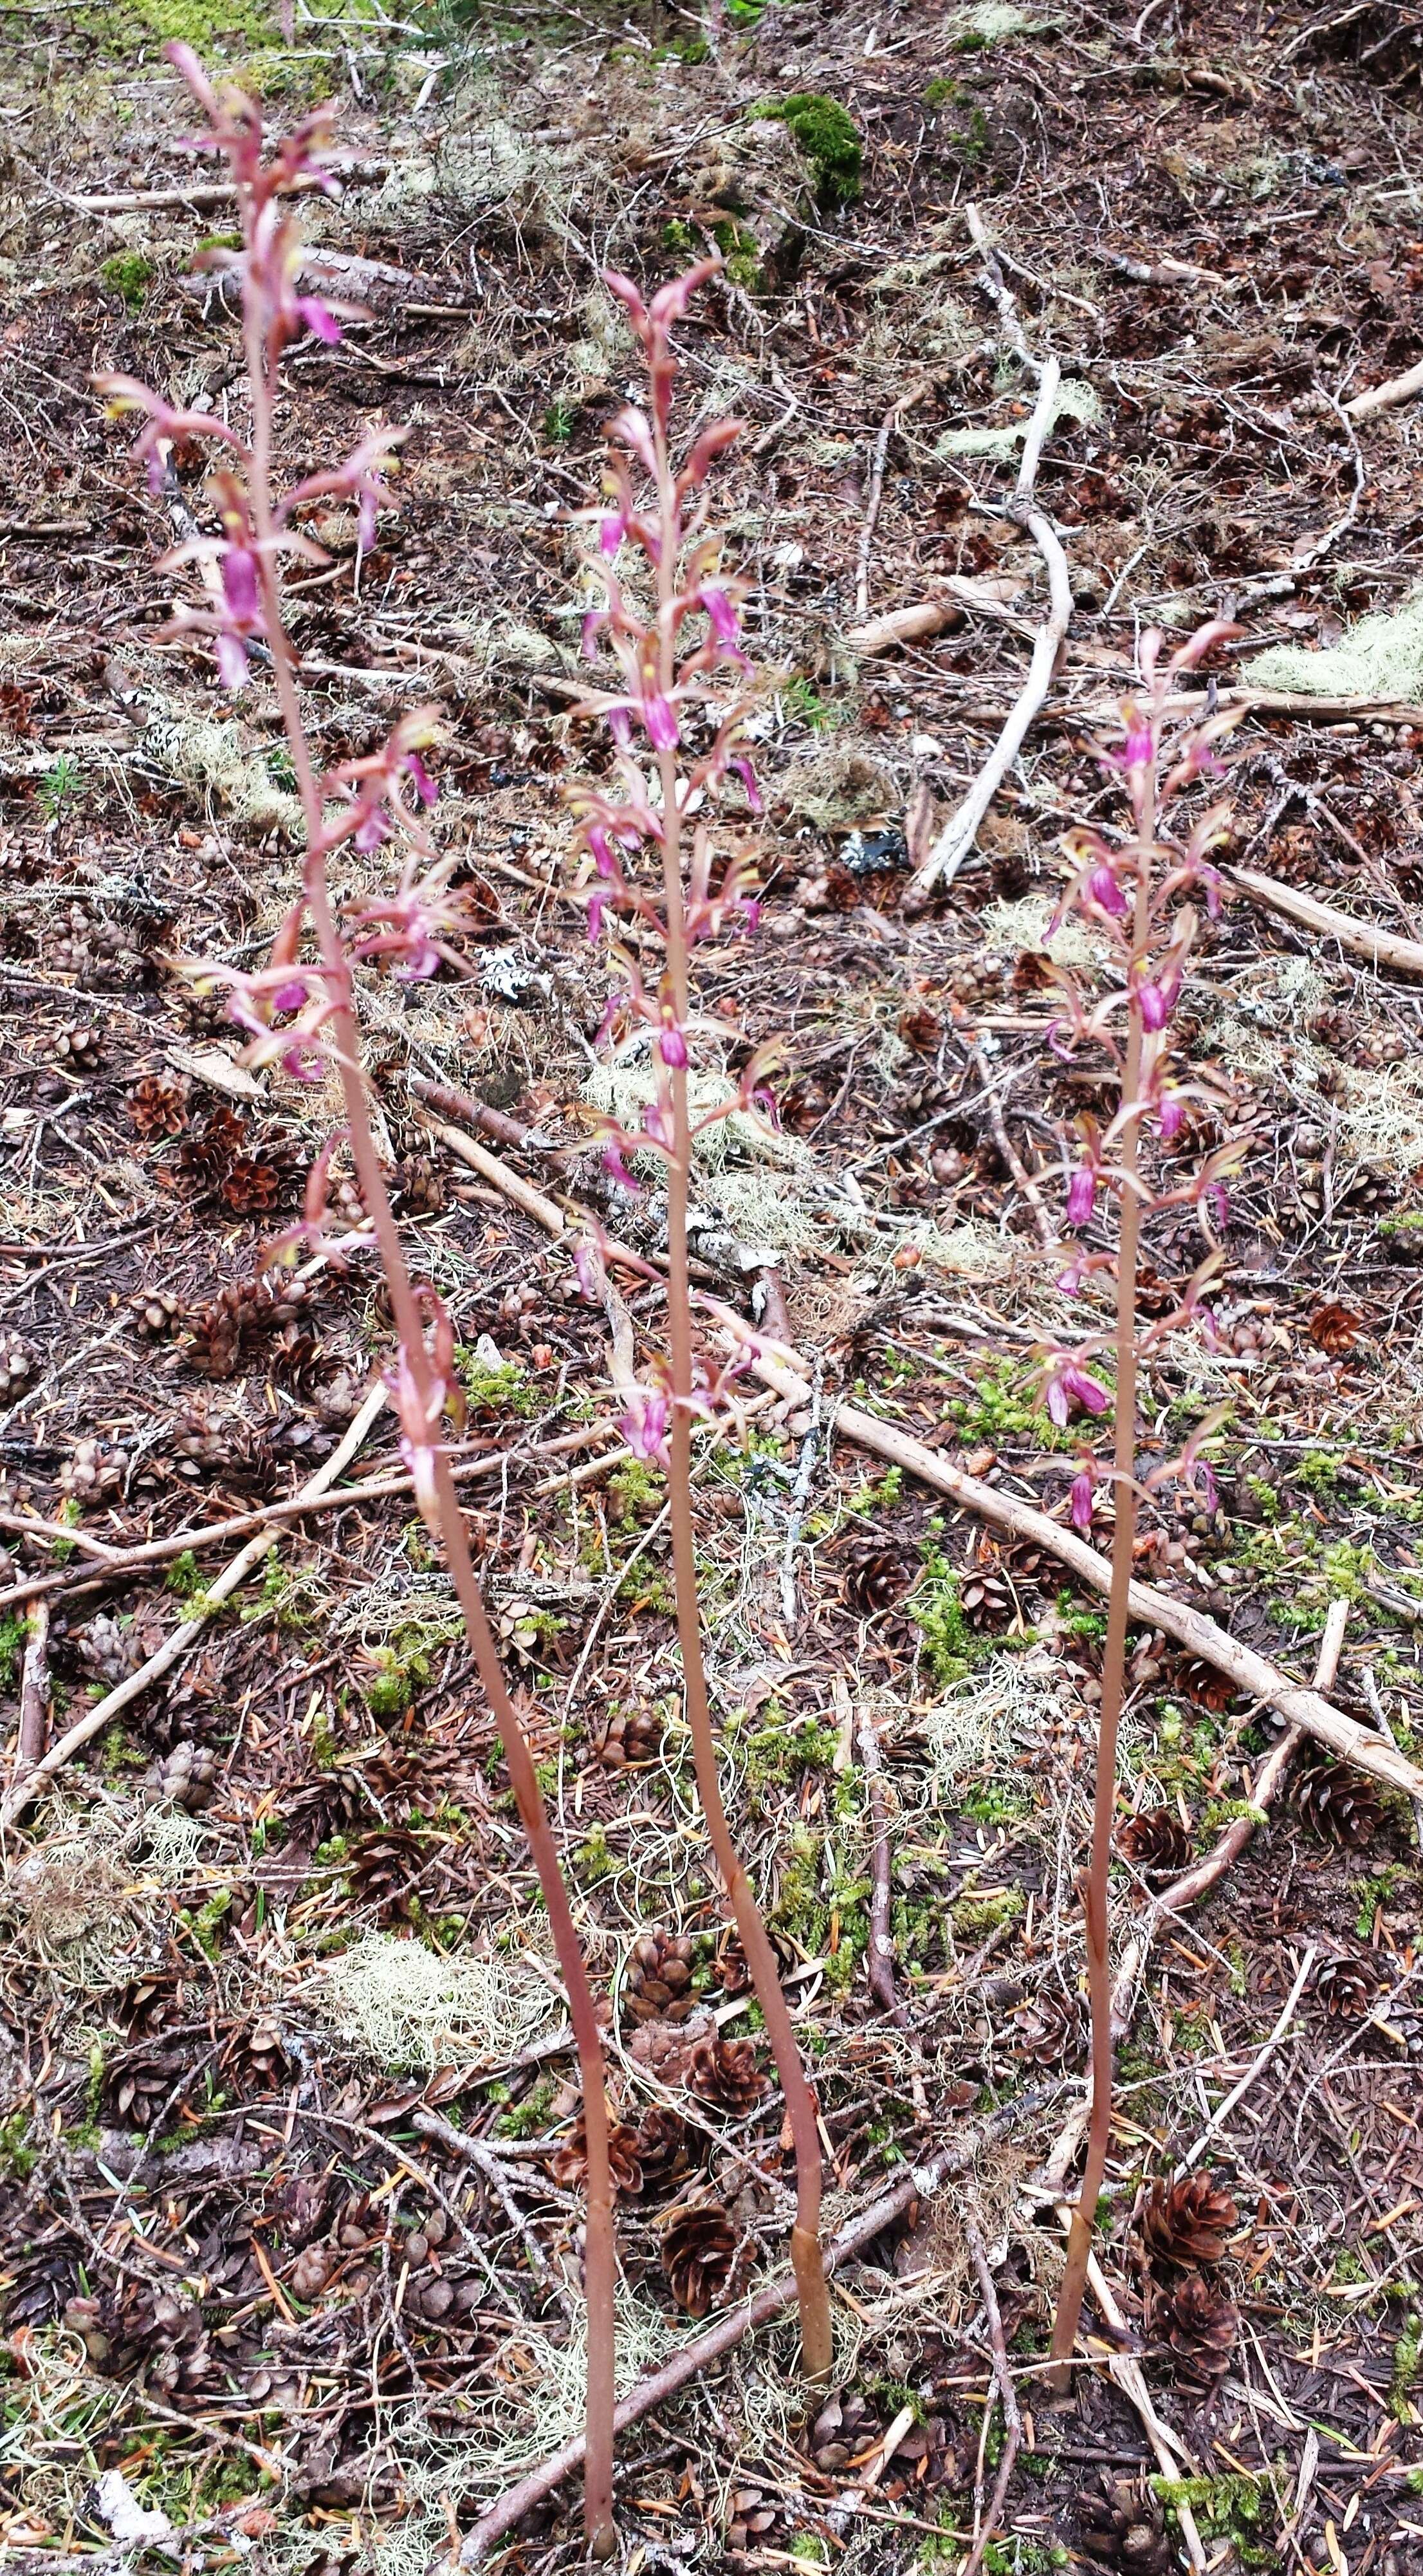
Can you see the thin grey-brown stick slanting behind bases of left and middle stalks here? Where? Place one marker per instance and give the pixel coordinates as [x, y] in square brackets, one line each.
[735, 2327]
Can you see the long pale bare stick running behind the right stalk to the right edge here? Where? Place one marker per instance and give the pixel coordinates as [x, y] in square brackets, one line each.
[1252, 1673]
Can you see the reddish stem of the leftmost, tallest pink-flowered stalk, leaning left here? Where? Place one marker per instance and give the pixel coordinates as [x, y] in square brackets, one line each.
[410, 1325]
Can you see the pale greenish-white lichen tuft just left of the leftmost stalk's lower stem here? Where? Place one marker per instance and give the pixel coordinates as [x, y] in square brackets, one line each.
[408, 2008]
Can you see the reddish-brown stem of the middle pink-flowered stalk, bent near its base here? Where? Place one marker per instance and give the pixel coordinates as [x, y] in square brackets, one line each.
[817, 2340]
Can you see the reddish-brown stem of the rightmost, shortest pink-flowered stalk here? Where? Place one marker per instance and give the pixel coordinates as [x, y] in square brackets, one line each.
[1110, 1712]
